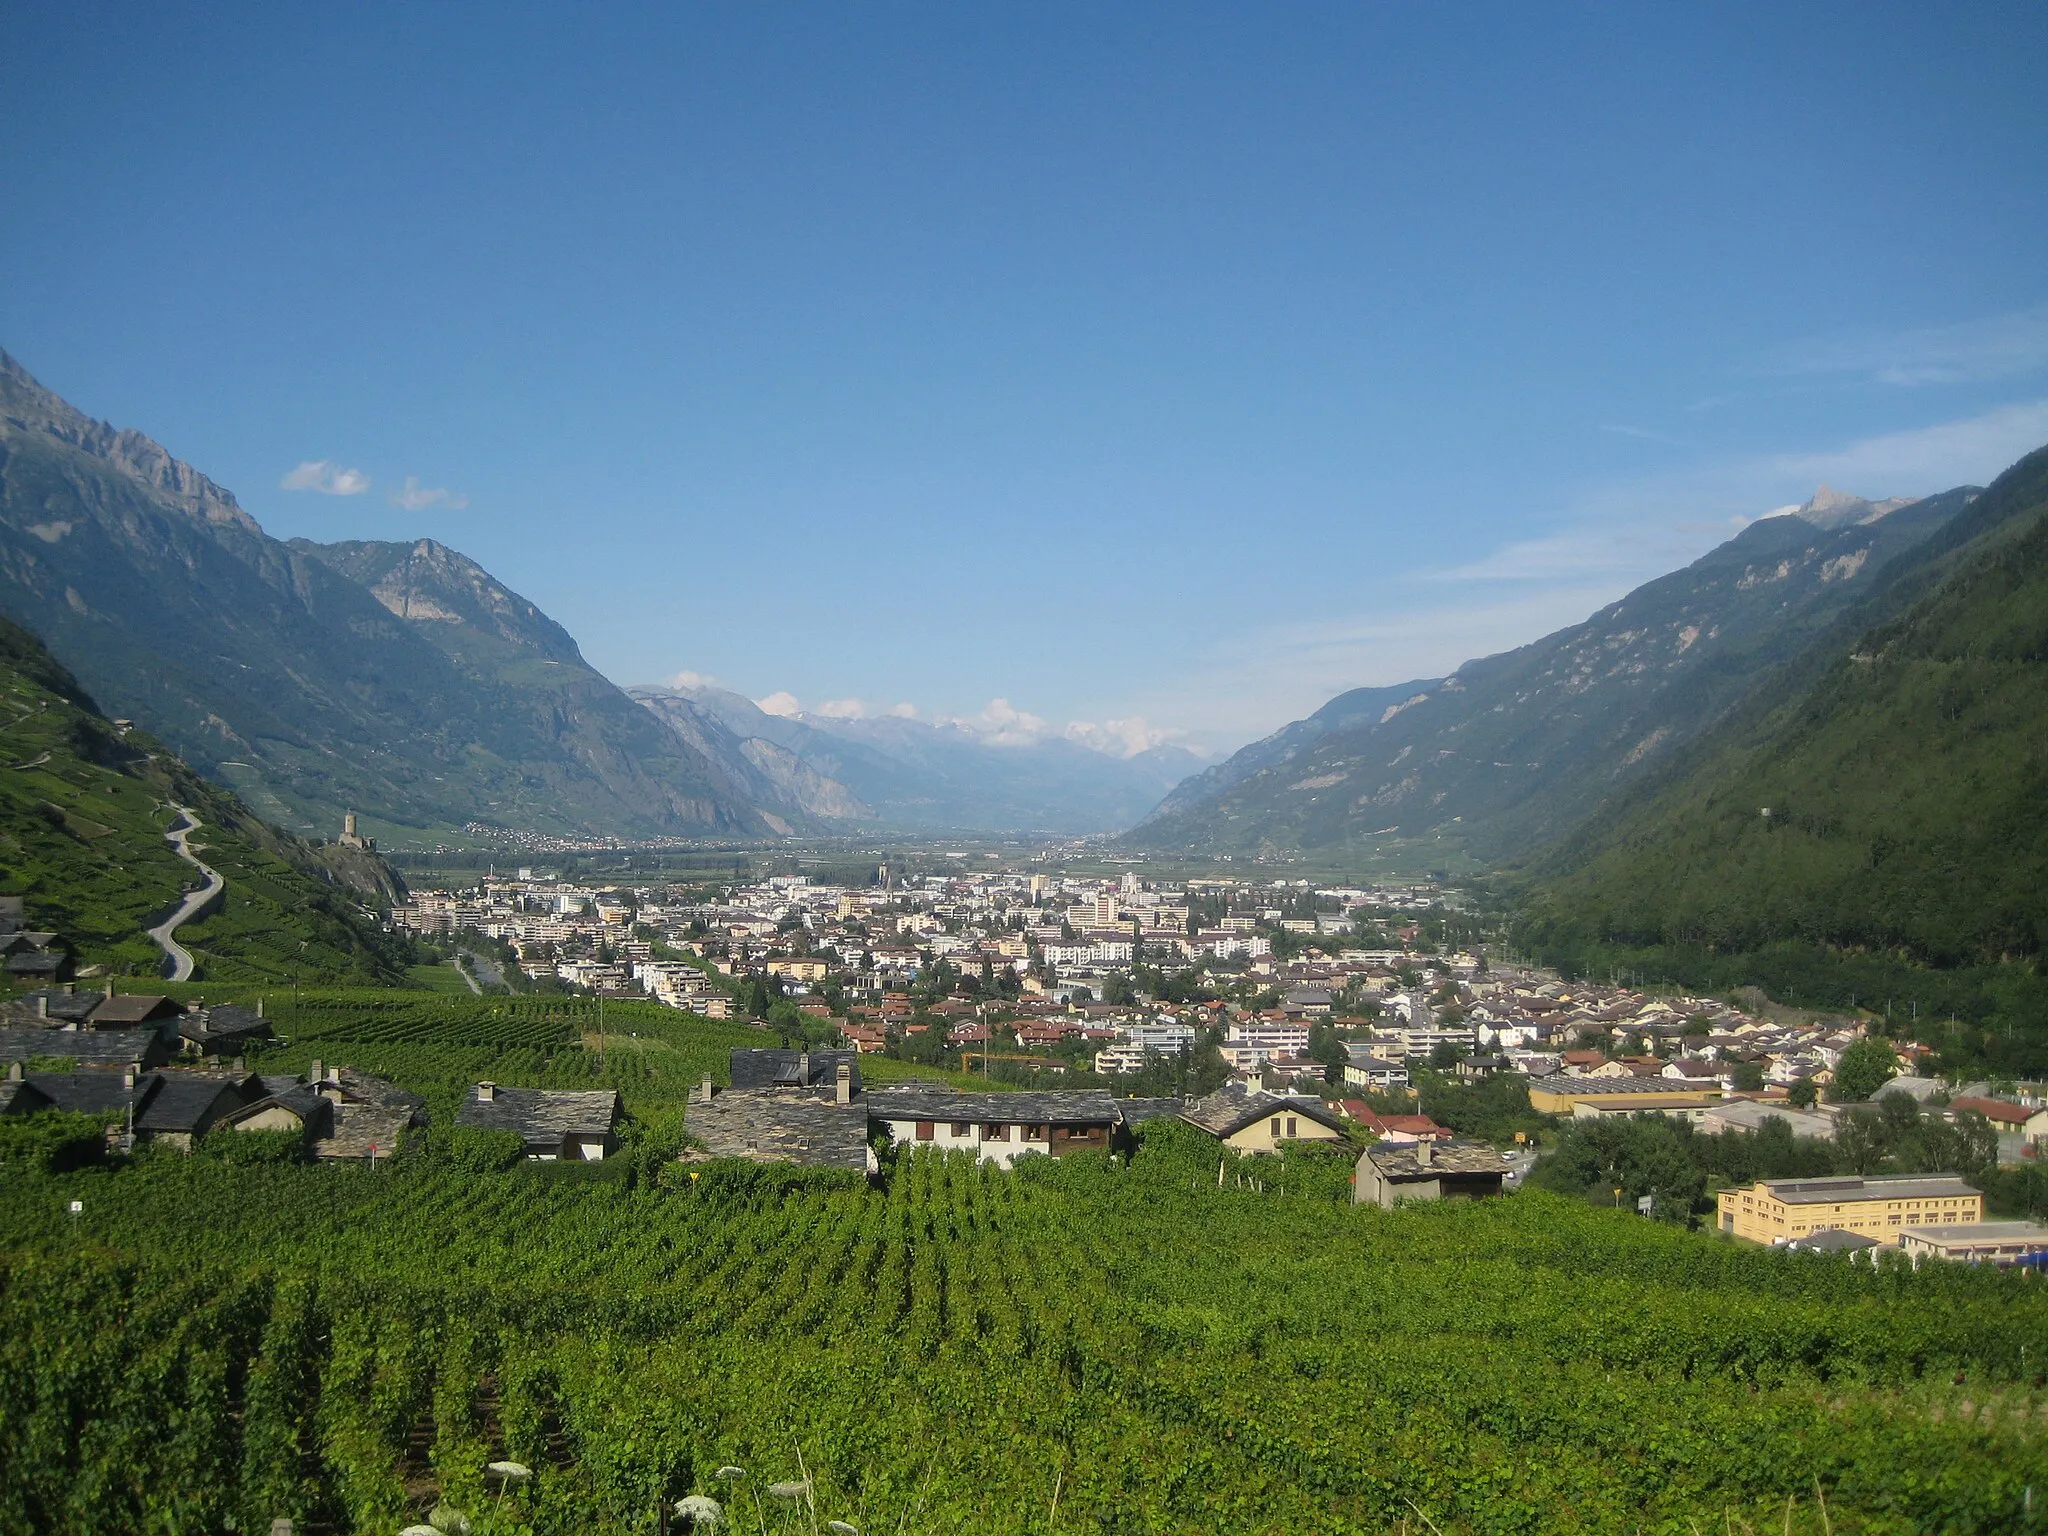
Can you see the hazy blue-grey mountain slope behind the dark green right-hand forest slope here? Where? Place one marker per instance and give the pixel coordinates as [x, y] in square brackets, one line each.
[1514, 751]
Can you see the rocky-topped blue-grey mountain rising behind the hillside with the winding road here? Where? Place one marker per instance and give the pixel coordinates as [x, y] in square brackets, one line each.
[282, 673]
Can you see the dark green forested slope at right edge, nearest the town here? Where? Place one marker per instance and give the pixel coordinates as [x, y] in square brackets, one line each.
[1885, 794]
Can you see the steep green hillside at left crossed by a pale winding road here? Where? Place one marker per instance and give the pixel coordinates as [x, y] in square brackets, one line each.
[83, 816]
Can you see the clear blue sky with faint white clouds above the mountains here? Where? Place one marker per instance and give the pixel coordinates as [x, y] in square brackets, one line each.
[1162, 366]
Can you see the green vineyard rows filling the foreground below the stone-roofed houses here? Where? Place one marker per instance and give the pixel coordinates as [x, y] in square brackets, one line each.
[1068, 1349]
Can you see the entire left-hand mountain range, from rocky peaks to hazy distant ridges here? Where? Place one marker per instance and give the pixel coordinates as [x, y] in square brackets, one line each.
[402, 681]
